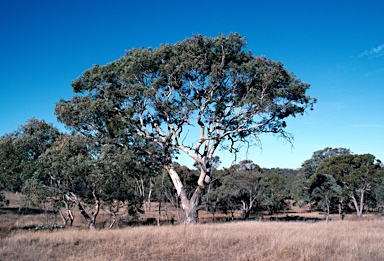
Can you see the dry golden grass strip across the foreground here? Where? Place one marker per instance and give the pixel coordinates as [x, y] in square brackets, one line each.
[337, 240]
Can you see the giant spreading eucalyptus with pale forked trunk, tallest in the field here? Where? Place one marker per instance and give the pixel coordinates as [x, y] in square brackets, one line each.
[163, 95]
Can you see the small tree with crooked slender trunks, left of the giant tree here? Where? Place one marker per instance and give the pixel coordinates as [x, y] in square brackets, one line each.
[64, 175]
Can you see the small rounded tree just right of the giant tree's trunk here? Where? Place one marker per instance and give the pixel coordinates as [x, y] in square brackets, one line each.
[246, 187]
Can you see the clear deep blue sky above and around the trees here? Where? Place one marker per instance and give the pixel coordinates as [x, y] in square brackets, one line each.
[336, 46]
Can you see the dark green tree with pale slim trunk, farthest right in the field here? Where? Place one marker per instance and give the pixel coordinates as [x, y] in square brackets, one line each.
[356, 174]
